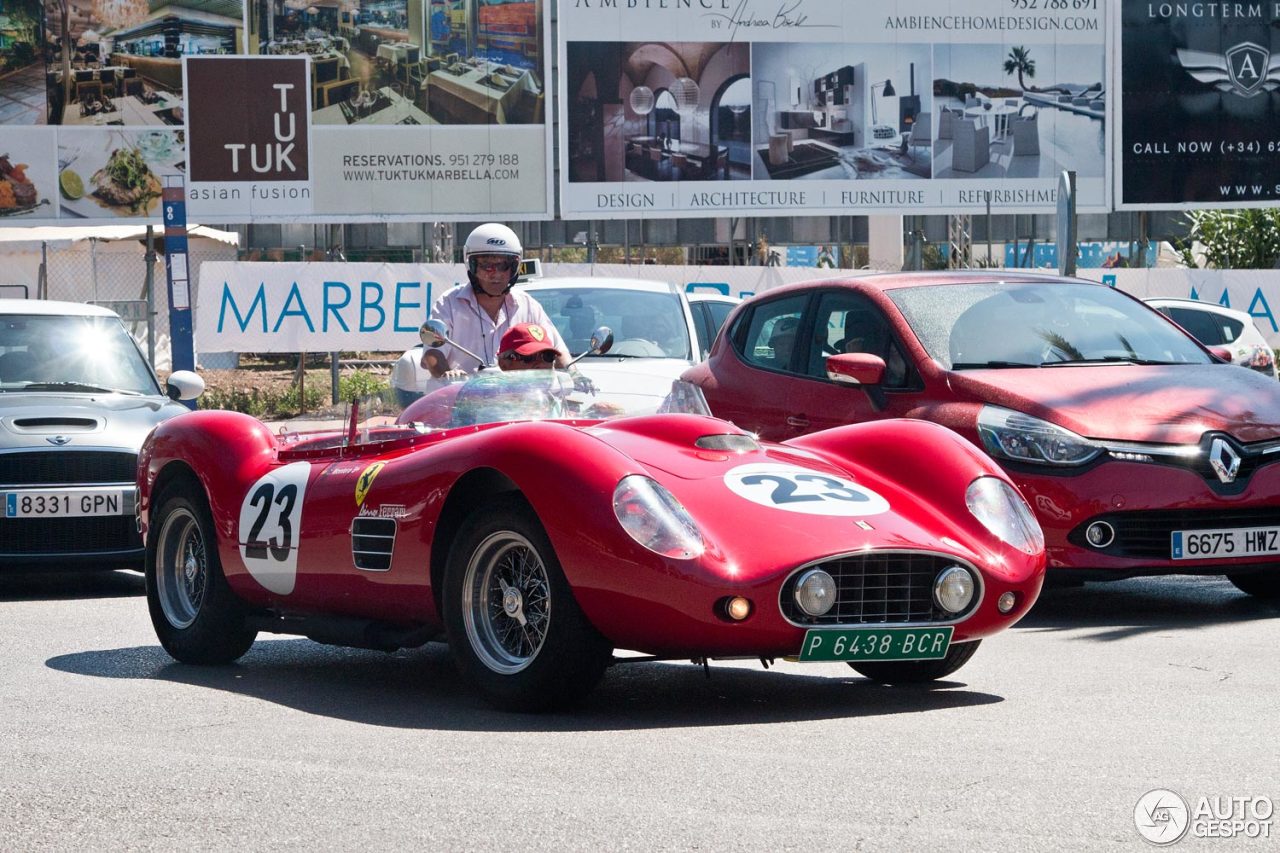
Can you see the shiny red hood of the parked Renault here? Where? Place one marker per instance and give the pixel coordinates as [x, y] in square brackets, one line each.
[1133, 403]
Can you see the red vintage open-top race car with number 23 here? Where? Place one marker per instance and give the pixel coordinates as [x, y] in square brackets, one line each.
[537, 548]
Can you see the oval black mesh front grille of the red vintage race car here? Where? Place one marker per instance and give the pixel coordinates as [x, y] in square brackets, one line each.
[879, 589]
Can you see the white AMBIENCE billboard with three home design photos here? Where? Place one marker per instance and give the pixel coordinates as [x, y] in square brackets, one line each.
[711, 108]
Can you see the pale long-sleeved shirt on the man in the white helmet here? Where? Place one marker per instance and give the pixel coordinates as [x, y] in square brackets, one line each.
[473, 327]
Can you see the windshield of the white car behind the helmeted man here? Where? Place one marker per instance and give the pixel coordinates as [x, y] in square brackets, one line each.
[646, 323]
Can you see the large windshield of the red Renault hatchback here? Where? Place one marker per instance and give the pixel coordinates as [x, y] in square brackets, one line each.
[1016, 325]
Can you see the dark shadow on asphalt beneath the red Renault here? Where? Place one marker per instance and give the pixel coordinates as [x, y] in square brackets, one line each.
[1117, 610]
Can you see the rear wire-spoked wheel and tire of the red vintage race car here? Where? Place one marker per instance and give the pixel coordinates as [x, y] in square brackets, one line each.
[195, 614]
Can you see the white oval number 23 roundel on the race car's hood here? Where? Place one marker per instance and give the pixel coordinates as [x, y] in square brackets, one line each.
[802, 490]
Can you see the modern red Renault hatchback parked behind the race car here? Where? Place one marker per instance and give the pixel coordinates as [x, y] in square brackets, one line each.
[1140, 450]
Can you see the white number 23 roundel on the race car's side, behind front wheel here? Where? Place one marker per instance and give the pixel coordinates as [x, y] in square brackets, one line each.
[269, 524]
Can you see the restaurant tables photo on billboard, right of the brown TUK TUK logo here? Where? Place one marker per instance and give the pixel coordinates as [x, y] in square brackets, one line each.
[401, 62]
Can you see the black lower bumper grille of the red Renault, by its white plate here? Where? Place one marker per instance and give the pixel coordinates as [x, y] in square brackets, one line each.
[1146, 535]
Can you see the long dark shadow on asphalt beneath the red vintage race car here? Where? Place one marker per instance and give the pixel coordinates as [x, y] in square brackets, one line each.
[422, 690]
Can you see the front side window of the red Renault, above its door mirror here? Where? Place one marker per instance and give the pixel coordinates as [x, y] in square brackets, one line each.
[849, 323]
